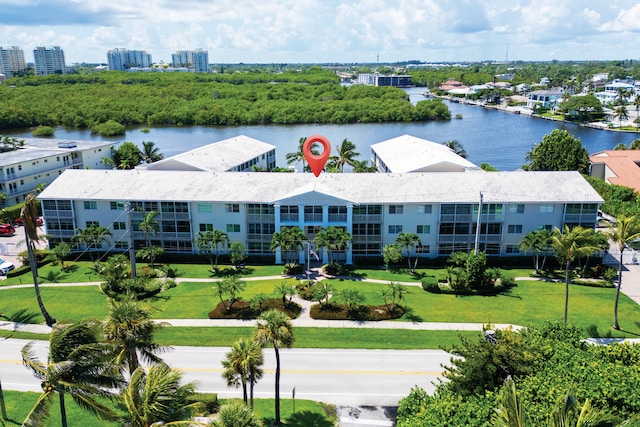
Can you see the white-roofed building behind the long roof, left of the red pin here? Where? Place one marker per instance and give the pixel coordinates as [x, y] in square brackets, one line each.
[236, 154]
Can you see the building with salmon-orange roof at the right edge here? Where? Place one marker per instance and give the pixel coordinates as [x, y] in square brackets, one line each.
[619, 167]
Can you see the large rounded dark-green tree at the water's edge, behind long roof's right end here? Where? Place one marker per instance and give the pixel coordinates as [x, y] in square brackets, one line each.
[559, 151]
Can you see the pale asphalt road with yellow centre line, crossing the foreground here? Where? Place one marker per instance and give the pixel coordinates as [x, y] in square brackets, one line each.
[341, 377]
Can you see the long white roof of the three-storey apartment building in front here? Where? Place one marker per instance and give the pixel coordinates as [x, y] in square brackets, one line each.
[356, 188]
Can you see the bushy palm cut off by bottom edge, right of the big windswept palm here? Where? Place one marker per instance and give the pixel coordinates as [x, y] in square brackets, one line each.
[157, 397]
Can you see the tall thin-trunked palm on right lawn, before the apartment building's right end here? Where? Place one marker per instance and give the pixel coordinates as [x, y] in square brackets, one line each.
[574, 243]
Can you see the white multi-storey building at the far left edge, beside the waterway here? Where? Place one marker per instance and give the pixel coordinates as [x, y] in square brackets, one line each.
[40, 161]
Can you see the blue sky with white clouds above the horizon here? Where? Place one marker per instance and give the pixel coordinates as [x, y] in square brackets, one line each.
[328, 31]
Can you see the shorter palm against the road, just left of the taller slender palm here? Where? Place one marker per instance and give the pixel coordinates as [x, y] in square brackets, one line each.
[242, 366]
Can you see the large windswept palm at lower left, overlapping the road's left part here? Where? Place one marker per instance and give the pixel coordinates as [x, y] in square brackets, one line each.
[78, 366]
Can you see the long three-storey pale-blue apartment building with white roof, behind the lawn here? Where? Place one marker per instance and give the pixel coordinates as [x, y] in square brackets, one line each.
[442, 208]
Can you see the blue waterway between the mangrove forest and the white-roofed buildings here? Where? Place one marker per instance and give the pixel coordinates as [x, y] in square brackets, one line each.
[489, 136]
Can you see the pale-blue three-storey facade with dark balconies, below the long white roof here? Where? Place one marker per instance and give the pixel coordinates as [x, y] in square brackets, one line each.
[442, 228]
